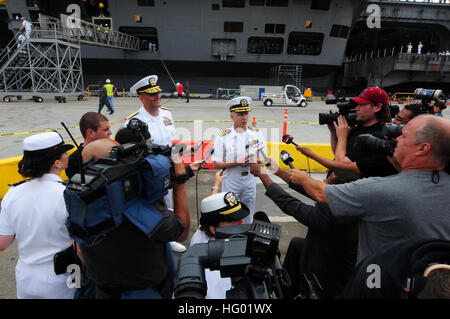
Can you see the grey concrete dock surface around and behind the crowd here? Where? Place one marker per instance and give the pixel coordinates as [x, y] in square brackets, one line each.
[199, 120]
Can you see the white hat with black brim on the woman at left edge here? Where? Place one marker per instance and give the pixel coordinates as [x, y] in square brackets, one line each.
[45, 144]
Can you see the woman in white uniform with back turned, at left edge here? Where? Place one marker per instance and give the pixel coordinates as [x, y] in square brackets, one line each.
[34, 214]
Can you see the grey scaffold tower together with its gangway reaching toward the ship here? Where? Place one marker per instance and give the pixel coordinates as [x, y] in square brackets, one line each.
[48, 62]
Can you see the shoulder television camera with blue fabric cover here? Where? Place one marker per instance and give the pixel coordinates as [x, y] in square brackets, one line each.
[135, 175]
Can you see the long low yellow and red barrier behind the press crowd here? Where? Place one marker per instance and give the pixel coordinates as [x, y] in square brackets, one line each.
[10, 175]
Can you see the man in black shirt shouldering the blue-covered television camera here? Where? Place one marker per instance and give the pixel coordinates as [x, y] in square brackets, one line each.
[125, 262]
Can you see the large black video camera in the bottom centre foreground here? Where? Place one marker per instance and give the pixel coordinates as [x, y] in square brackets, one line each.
[246, 253]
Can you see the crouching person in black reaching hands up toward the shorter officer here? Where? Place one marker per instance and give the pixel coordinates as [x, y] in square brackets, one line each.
[329, 249]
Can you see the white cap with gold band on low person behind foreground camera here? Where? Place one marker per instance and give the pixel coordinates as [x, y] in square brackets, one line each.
[222, 207]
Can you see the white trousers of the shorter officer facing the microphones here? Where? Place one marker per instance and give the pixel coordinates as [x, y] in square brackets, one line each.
[244, 187]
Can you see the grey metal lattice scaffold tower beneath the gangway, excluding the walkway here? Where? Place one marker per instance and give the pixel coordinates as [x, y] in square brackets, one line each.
[42, 67]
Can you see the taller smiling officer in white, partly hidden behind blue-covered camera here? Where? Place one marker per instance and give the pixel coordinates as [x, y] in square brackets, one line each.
[160, 124]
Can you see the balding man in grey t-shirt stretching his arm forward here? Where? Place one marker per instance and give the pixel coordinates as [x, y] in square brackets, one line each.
[414, 202]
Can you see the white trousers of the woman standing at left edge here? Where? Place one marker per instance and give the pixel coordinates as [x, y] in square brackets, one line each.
[41, 282]
